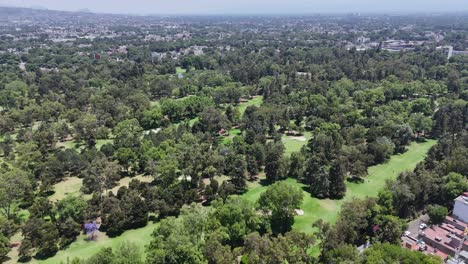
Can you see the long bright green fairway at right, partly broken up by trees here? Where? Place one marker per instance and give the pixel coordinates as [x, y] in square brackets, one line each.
[328, 210]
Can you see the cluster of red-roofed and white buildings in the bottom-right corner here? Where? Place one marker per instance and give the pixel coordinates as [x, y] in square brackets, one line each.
[448, 240]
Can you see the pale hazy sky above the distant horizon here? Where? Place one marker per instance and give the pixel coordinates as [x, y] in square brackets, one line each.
[245, 6]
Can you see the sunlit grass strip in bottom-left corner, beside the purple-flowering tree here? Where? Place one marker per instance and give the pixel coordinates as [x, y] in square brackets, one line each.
[85, 249]
